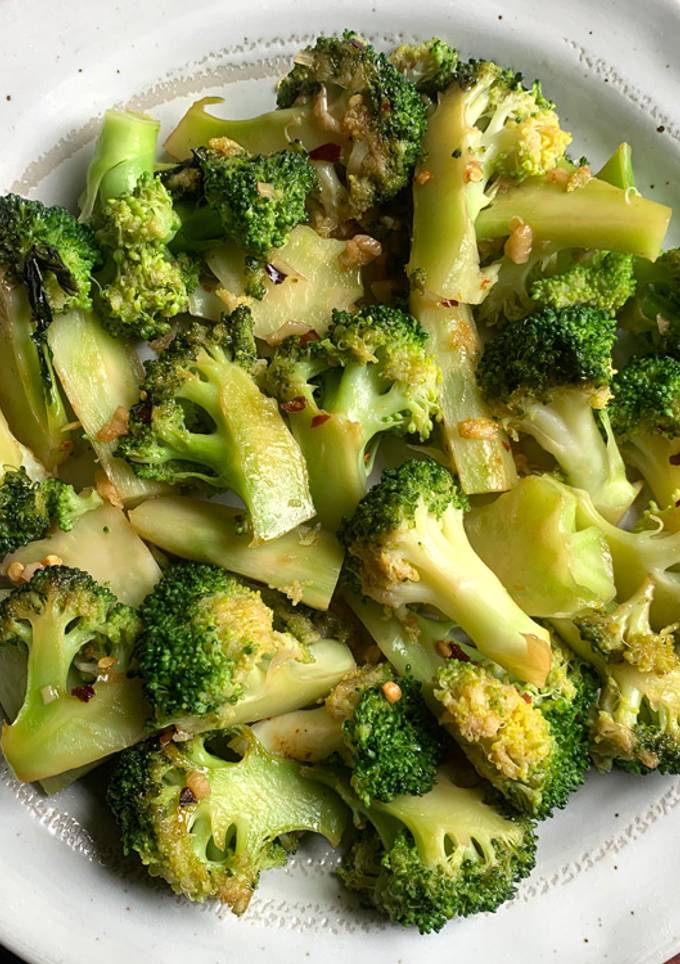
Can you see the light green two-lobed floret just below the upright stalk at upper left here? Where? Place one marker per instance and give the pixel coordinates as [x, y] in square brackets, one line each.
[142, 287]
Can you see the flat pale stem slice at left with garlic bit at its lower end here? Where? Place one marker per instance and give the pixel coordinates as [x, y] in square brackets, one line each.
[100, 375]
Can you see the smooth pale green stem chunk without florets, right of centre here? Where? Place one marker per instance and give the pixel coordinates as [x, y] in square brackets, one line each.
[549, 565]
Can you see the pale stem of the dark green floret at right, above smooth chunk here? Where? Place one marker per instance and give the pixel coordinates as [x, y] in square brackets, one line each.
[567, 428]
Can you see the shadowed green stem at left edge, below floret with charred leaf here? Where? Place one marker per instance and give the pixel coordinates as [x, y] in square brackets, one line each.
[33, 407]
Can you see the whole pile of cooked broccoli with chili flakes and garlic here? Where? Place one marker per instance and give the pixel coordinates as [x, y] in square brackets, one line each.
[378, 537]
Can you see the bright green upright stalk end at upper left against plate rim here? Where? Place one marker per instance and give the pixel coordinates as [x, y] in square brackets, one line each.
[125, 149]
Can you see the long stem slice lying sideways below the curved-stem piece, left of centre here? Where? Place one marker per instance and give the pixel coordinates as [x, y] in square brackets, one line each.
[304, 564]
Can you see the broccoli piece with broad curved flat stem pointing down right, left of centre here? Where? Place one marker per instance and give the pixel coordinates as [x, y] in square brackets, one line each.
[203, 419]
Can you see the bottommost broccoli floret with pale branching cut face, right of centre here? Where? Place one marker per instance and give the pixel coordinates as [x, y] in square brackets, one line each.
[421, 861]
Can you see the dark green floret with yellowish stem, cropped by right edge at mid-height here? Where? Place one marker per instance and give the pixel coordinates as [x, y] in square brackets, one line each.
[645, 416]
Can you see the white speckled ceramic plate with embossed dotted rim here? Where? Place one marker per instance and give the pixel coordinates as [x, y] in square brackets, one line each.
[604, 887]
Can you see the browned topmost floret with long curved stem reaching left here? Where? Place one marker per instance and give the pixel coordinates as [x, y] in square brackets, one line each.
[340, 94]
